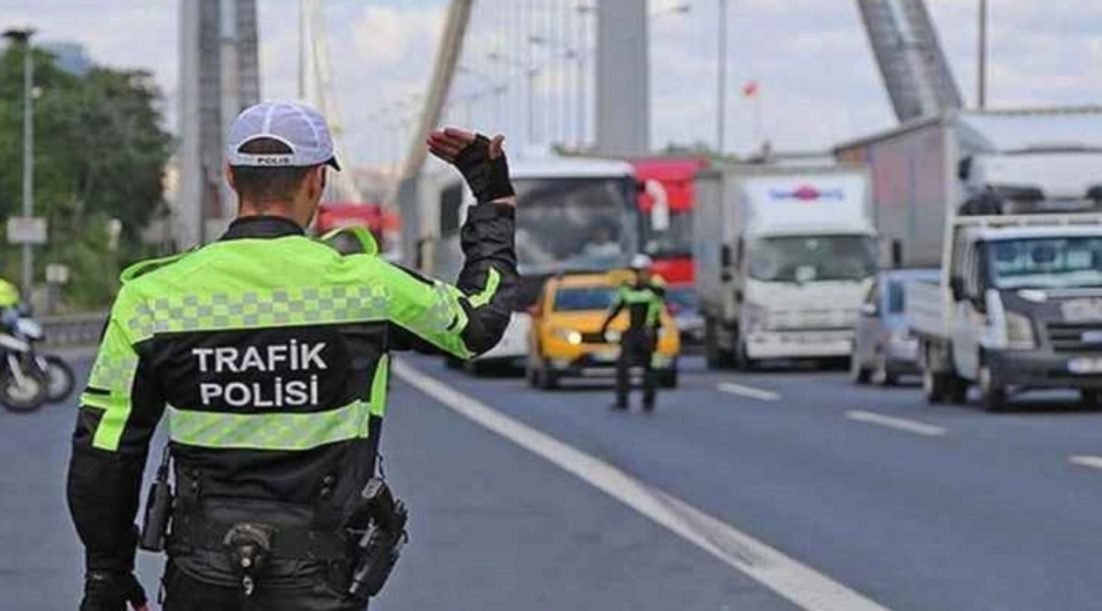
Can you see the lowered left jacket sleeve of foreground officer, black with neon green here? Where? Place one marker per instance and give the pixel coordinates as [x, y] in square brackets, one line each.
[120, 413]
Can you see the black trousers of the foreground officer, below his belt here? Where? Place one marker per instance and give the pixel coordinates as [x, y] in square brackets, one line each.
[183, 593]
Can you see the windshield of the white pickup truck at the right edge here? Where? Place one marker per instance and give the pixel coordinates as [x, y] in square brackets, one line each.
[1046, 263]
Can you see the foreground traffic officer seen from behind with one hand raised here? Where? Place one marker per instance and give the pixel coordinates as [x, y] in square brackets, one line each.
[268, 352]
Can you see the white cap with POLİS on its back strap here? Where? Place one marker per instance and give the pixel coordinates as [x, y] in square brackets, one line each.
[299, 126]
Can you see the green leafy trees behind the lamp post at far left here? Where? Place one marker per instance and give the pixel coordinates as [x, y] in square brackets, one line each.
[101, 154]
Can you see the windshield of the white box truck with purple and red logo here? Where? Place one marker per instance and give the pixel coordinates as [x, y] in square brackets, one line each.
[813, 259]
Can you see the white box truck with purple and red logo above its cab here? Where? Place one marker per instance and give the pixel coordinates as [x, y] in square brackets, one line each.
[784, 256]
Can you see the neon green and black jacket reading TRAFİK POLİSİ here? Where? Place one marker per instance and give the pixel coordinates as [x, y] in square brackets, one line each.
[267, 352]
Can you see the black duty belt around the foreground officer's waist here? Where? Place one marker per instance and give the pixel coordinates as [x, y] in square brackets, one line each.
[288, 543]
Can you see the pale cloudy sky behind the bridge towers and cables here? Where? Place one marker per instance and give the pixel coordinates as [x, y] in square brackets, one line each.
[818, 82]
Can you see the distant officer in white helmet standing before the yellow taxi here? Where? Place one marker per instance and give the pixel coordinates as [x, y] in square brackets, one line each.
[644, 298]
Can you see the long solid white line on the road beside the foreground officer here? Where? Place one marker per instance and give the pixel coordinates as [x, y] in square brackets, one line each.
[800, 584]
